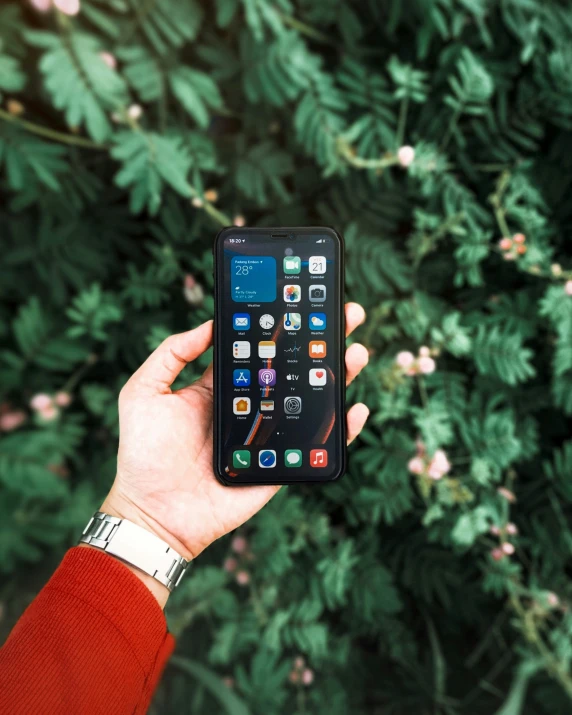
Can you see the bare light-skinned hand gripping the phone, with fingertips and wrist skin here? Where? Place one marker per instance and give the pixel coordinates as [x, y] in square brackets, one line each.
[165, 480]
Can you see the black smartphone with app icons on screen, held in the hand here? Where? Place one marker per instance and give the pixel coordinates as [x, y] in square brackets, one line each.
[279, 367]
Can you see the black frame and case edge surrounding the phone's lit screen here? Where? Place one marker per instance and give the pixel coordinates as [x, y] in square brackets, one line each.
[217, 333]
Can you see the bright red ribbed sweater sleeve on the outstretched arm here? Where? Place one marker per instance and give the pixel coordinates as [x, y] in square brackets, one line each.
[93, 641]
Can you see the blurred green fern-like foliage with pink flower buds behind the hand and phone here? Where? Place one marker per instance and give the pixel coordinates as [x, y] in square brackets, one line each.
[436, 134]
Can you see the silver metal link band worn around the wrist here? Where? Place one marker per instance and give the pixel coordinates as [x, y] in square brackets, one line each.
[136, 546]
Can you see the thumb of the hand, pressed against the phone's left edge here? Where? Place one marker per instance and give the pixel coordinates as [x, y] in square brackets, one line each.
[159, 371]
